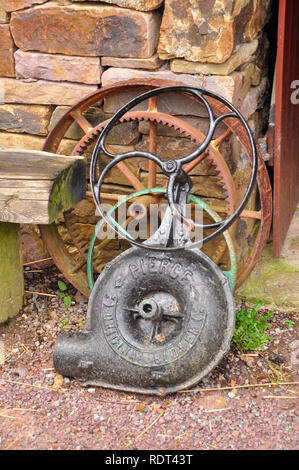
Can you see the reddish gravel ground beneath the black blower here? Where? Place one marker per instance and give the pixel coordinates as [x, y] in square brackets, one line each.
[40, 409]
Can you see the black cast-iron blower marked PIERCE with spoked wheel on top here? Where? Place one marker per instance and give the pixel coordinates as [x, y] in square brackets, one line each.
[161, 314]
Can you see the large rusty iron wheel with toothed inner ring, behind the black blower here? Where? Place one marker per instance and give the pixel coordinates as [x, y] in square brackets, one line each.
[64, 239]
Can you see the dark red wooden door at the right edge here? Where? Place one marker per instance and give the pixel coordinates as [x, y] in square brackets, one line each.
[286, 153]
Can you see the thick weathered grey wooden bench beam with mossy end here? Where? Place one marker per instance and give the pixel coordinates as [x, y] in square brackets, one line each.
[35, 186]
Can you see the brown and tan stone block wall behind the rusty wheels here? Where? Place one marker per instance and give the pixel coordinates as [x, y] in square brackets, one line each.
[55, 53]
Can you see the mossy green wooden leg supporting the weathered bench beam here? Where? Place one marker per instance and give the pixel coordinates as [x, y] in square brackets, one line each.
[11, 271]
